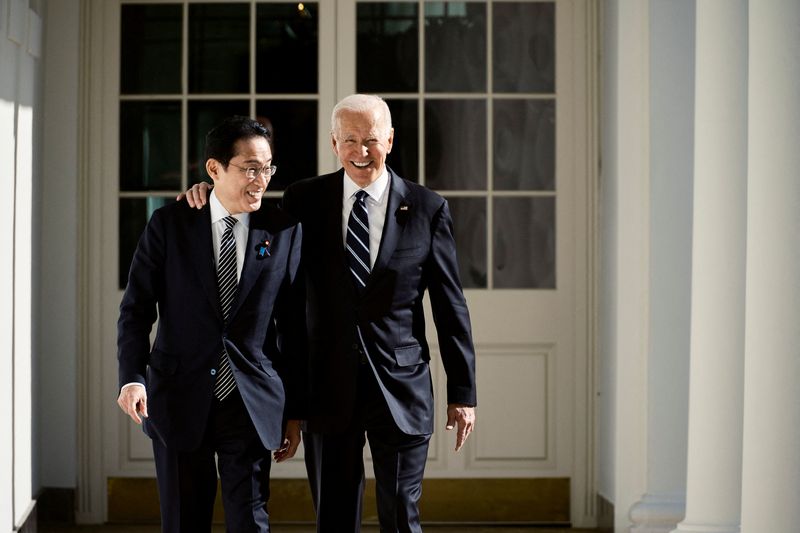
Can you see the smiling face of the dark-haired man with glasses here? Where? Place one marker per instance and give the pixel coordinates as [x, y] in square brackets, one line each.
[235, 191]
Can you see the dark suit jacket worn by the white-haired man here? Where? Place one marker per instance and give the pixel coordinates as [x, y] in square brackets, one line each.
[386, 323]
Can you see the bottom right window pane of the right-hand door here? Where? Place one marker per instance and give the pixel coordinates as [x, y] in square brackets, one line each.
[524, 255]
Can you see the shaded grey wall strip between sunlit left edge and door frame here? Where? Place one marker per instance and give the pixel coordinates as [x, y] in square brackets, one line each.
[58, 249]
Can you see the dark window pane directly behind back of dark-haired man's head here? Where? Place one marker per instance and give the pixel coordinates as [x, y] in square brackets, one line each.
[204, 115]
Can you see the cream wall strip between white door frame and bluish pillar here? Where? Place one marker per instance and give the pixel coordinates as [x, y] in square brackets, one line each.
[625, 221]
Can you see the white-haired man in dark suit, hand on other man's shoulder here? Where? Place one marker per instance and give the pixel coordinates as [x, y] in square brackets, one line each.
[373, 244]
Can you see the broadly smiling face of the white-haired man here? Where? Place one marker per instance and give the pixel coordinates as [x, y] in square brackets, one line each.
[362, 143]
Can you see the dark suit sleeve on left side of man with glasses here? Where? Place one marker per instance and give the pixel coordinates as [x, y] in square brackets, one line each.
[138, 310]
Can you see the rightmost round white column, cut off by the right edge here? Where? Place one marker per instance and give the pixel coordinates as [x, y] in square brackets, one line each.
[771, 453]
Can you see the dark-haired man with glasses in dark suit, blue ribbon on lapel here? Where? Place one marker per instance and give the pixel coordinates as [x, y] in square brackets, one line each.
[222, 381]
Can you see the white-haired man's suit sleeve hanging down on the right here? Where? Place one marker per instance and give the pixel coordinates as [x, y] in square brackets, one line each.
[450, 313]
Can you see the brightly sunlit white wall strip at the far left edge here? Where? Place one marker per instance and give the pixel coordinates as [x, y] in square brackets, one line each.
[20, 46]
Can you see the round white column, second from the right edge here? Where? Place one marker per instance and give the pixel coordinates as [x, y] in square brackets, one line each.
[718, 272]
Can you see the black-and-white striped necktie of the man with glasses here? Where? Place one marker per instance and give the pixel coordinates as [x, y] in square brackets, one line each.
[226, 278]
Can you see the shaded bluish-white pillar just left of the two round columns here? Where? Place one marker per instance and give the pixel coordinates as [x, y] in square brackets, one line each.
[671, 73]
